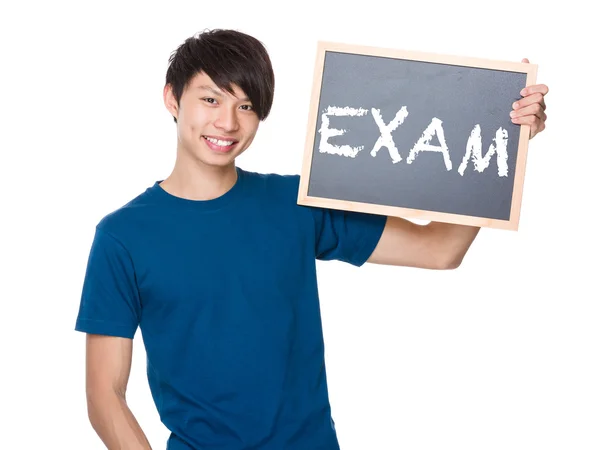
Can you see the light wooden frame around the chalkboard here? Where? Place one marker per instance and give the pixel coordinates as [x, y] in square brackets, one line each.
[305, 199]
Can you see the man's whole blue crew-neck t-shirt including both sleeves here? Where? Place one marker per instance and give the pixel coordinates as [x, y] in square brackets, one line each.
[224, 292]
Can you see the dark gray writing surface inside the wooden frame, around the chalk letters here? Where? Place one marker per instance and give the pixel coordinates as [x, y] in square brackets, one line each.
[460, 96]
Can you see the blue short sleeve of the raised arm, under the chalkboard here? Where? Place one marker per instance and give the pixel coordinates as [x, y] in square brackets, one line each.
[346, 235]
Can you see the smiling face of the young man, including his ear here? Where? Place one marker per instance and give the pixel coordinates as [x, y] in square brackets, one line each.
[213, 126]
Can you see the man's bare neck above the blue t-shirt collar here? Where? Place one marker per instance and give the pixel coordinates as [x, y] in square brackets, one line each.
[194, 180]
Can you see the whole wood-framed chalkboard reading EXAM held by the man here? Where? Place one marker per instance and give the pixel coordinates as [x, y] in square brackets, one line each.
[416, 135]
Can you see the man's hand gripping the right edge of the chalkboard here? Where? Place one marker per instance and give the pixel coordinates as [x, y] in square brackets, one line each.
[531, 109]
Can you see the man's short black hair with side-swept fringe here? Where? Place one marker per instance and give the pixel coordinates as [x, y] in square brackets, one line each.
[229, 58]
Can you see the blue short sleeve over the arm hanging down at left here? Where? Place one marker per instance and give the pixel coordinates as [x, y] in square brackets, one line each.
[110, 302]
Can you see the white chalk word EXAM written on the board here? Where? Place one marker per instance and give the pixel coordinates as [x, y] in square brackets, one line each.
[473, 147]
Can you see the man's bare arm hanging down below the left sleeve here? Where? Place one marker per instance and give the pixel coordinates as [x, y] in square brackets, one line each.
[108, 364]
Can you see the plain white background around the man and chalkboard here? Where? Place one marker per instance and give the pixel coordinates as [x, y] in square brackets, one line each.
[503, 353]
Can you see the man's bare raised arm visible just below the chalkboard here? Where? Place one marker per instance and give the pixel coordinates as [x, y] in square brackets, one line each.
[434, 246]
